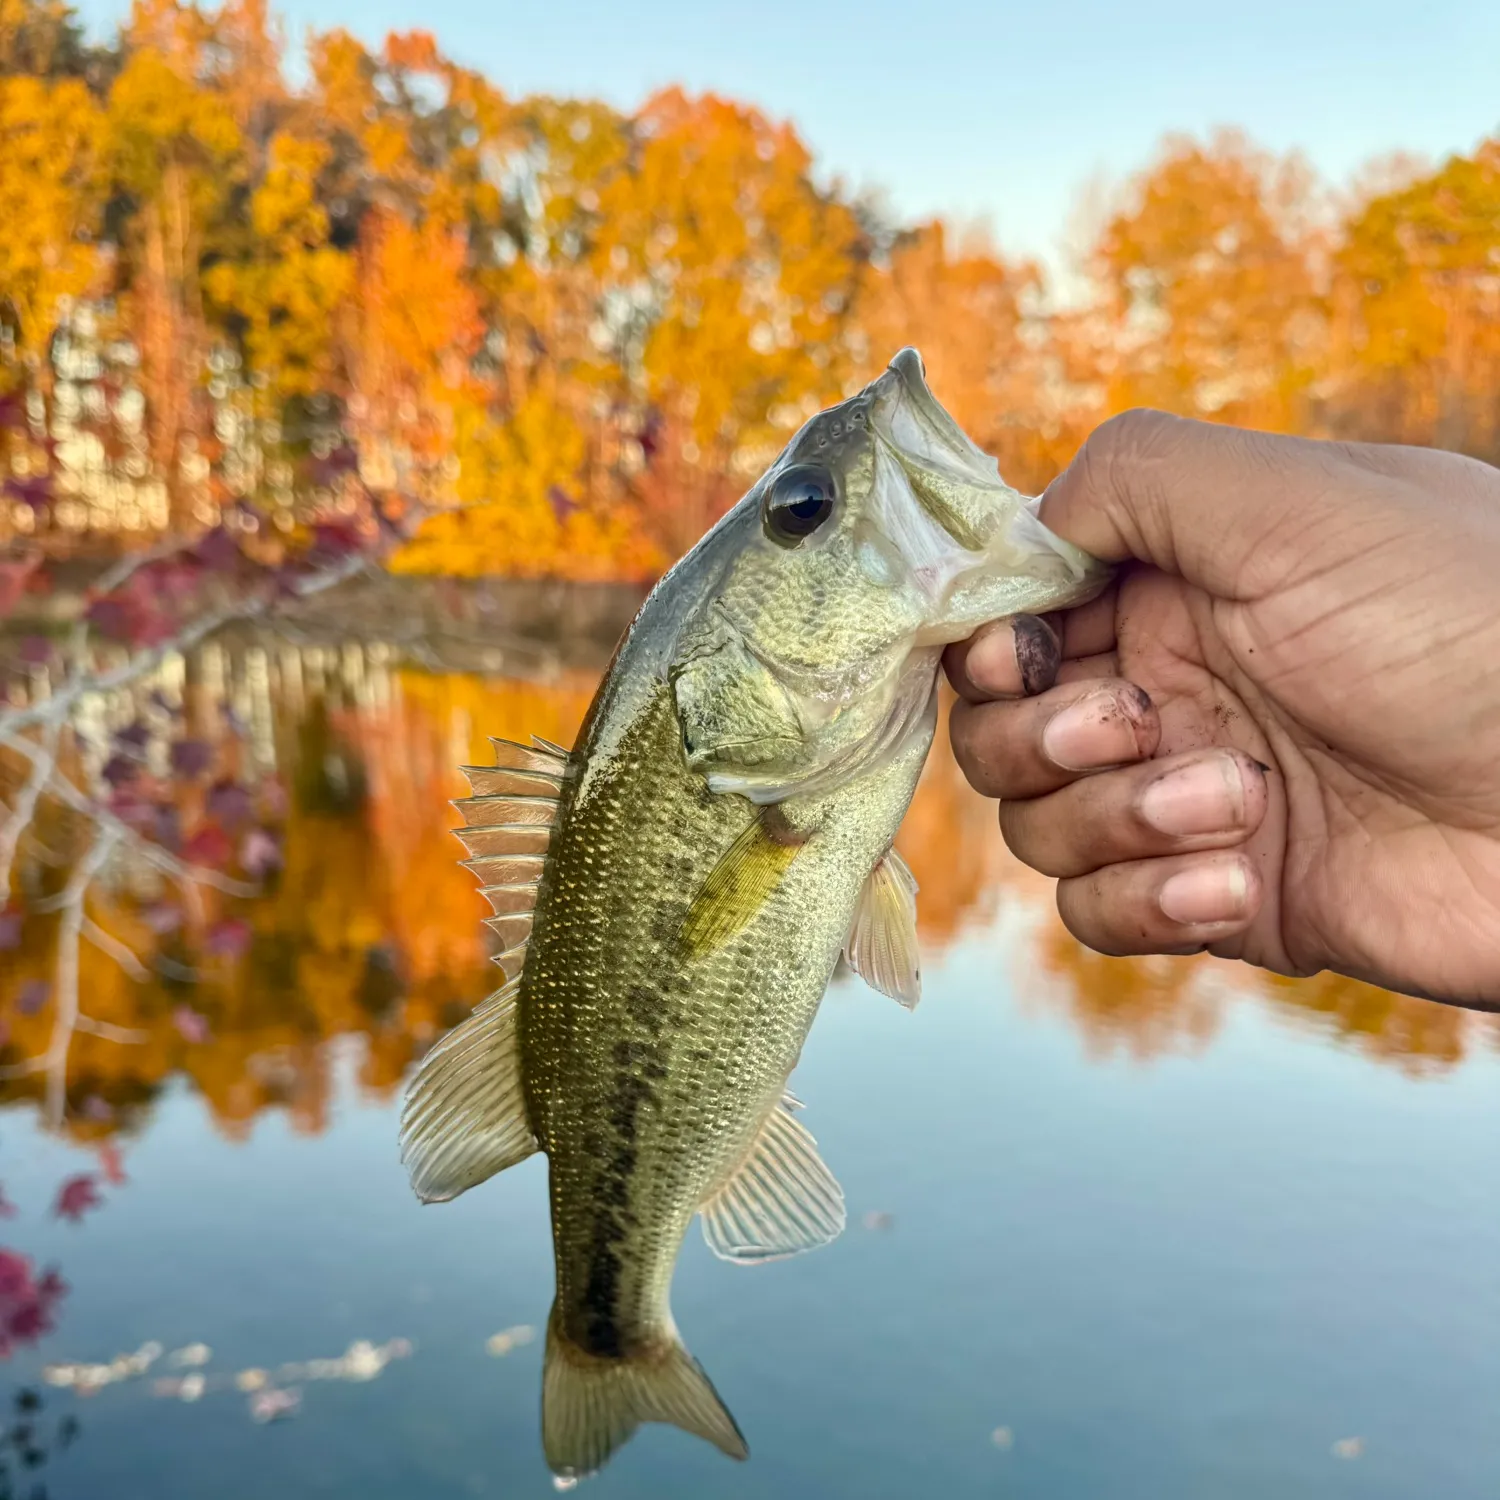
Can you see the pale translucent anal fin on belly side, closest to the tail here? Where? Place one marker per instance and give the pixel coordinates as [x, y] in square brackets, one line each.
[782, 1201]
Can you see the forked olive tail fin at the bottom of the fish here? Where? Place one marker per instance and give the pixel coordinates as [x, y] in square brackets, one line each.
[592, 1406]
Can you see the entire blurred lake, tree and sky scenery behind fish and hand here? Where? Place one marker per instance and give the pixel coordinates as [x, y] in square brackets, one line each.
[356, 382]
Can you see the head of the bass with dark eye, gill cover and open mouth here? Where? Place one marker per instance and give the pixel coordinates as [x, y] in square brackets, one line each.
[878, 536]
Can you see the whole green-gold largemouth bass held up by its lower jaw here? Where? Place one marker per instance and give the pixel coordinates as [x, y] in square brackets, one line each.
[674, 895]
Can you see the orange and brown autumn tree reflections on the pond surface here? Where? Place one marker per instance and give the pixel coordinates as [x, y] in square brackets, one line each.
[365, 925]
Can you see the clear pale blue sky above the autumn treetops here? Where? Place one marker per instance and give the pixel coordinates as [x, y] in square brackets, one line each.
[997, 113]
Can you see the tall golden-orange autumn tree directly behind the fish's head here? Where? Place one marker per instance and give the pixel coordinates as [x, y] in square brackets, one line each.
[728, 277]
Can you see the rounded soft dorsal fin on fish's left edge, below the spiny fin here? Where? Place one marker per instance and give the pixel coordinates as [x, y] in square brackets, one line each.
[466, 1115]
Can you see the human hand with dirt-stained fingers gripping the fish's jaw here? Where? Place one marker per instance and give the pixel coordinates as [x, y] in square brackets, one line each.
[1279, 734]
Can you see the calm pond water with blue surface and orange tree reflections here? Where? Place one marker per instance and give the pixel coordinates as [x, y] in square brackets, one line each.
[1115, 1229]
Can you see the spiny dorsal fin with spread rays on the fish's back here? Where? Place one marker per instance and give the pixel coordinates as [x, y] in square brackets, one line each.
[508, 827]
